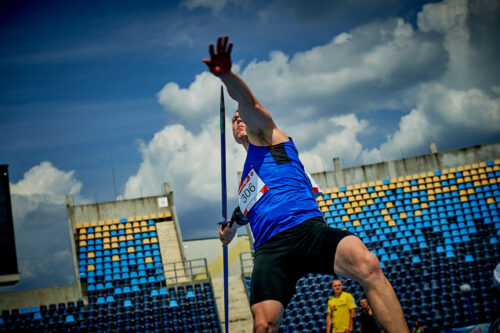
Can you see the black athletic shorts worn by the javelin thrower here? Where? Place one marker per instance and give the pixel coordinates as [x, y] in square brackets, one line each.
[282, 260]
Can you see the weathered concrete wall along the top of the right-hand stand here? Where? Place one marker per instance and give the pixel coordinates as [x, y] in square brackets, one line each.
[406, 166]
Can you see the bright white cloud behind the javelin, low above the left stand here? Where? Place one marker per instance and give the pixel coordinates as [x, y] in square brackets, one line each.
[190, 162]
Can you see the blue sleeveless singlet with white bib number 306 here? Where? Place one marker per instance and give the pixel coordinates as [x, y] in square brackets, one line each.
[285, 196]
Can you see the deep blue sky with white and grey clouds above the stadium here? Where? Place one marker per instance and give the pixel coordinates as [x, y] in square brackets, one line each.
[107, 100]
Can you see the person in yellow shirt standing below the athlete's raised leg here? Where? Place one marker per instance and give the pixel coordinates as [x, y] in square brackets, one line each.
[341, 310]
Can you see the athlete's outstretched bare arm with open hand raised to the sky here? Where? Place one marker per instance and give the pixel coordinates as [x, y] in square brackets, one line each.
[261, 128]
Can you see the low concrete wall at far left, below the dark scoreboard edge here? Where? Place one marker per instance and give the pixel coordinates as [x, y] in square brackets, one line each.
[44, 296]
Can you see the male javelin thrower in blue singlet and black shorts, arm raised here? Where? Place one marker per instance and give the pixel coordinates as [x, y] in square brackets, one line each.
[291, 237]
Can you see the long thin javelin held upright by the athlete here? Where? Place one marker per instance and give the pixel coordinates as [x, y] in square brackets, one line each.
[224, 202]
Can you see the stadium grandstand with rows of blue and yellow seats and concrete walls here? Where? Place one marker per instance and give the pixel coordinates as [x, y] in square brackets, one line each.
[432, 220]
